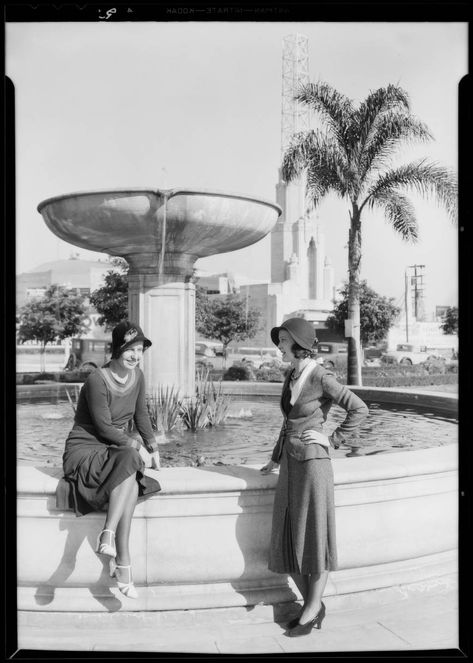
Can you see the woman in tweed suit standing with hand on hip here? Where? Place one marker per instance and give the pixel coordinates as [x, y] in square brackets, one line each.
[303, 541]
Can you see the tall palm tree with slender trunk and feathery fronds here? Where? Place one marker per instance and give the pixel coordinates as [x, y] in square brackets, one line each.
[351, 156]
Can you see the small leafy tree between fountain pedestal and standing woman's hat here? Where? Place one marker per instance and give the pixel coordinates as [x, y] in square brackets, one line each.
[228, 320]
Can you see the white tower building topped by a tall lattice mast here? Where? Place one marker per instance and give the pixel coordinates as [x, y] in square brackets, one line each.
[302, 276]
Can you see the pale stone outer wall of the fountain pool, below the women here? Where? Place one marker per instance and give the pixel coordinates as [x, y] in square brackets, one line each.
[203, 541]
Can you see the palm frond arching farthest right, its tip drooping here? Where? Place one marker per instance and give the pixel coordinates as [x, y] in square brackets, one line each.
[426, 178]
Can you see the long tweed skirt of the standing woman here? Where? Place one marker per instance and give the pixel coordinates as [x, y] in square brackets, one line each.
[303, 531]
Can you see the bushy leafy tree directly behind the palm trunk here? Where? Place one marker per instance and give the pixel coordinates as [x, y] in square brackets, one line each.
[377, 314]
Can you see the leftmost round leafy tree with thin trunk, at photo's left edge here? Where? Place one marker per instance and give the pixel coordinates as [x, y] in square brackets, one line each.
[59, 314]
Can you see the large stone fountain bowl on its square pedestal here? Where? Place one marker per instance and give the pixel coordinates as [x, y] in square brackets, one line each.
[161, 233]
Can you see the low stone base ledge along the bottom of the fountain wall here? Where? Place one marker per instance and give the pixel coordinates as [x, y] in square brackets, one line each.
[347, 589]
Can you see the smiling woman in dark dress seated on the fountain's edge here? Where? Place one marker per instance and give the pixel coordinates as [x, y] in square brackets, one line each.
[103, 464]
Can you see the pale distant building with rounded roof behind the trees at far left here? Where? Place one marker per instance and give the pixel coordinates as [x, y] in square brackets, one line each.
[82, 275]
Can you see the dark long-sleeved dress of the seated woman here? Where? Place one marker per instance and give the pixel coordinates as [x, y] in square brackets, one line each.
[99, 453]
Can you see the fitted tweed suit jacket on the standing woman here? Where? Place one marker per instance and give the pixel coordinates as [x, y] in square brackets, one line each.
[310, 410]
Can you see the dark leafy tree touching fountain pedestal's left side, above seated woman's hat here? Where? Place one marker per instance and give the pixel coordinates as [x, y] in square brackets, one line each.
[111, 299]
